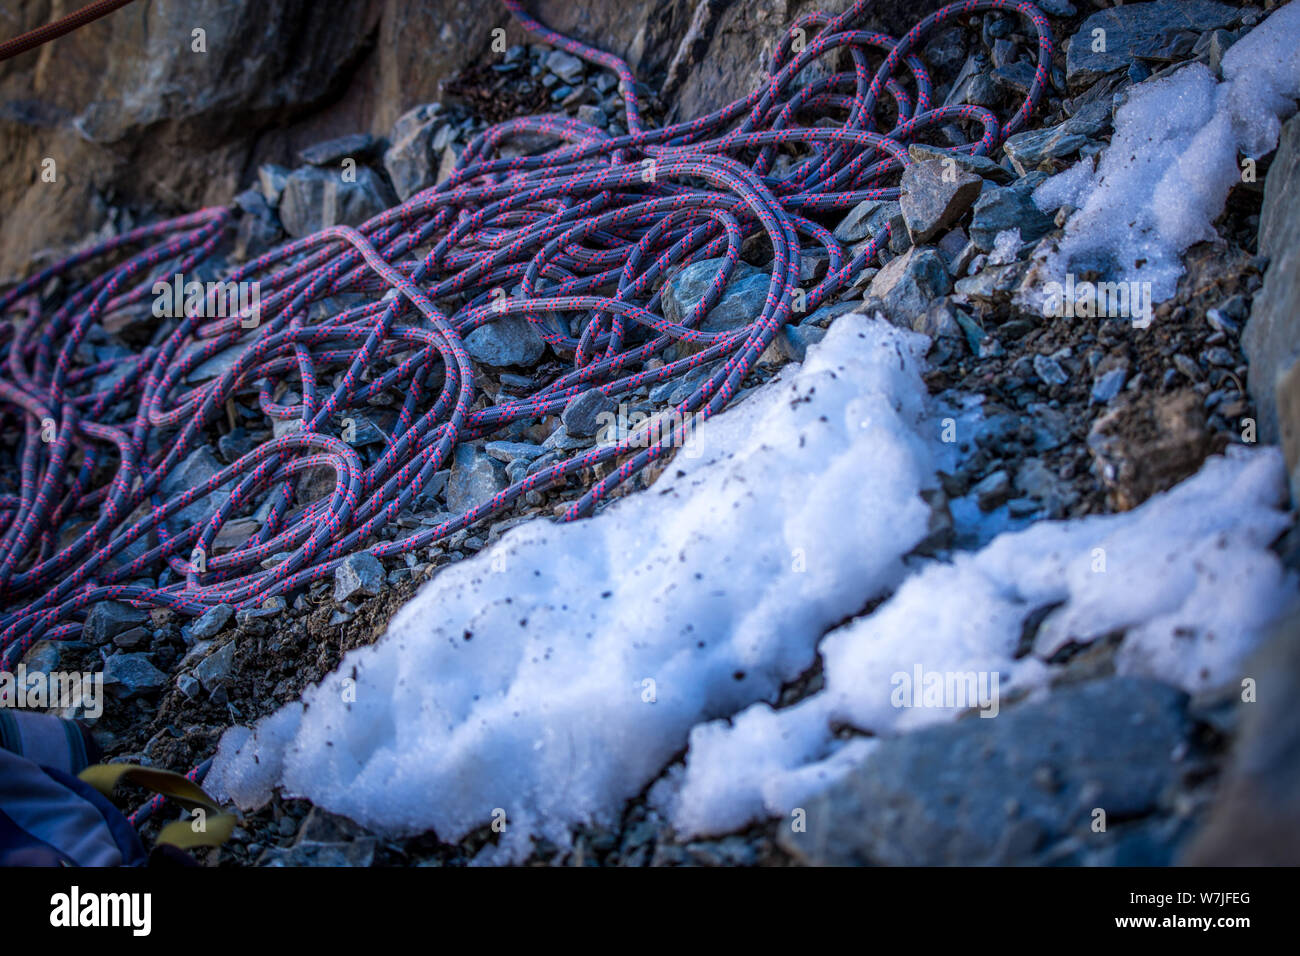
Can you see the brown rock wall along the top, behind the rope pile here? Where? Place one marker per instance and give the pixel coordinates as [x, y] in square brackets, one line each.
[135, 116]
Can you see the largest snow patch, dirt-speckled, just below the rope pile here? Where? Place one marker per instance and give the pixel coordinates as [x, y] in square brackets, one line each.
[556, 674]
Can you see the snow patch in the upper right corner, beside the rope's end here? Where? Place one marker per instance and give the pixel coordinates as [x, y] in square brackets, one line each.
[1173, 159]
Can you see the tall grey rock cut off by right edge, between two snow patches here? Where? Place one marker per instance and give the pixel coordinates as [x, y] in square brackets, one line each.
[1272, 339]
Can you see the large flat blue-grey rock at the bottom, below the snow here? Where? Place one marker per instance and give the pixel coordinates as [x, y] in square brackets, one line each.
[1007, 790]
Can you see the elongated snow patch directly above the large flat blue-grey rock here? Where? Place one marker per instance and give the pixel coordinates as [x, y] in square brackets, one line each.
[1189, 578]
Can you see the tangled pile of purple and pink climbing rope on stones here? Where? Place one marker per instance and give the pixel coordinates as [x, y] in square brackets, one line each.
[588, 230]
